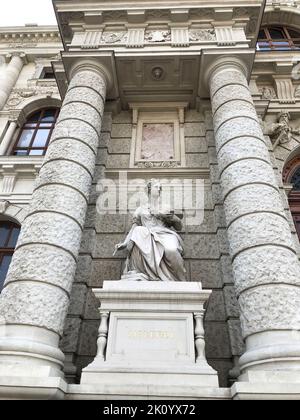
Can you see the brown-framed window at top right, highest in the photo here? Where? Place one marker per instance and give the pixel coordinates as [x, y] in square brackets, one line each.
[278, 38]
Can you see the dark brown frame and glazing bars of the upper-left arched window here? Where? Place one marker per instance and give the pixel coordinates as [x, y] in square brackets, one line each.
[37, 128]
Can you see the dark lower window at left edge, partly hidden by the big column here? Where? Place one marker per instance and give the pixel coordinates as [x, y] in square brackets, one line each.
[9, 233]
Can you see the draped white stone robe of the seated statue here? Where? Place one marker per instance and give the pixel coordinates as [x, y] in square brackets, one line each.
[157, 250]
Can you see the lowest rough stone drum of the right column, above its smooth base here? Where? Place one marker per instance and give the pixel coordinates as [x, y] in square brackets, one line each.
[269, 315]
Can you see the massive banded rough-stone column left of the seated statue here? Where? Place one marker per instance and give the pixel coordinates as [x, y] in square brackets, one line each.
[35, 298]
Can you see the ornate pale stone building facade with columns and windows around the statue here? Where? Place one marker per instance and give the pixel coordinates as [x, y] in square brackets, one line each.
[85, 101]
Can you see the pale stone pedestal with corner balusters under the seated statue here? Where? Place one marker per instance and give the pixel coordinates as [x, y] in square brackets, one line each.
[151, 335]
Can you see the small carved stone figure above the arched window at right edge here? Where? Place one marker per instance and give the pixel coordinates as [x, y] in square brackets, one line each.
[281, 132]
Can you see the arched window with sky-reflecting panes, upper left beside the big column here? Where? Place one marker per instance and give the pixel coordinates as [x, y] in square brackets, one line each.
[35, 134]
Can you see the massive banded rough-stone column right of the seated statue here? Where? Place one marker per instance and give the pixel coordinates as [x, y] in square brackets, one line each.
[265, 264]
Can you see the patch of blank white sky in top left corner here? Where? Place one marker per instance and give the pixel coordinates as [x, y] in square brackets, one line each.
[20, 12]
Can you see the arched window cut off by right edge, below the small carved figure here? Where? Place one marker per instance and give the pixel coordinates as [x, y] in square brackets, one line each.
[291, 175]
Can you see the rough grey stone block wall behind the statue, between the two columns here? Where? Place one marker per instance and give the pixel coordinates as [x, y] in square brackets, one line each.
[206, 251]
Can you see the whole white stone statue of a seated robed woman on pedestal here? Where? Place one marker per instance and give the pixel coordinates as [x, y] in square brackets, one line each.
[154, 248]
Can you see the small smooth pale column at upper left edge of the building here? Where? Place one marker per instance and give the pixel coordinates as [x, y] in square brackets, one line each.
[10, 76]
